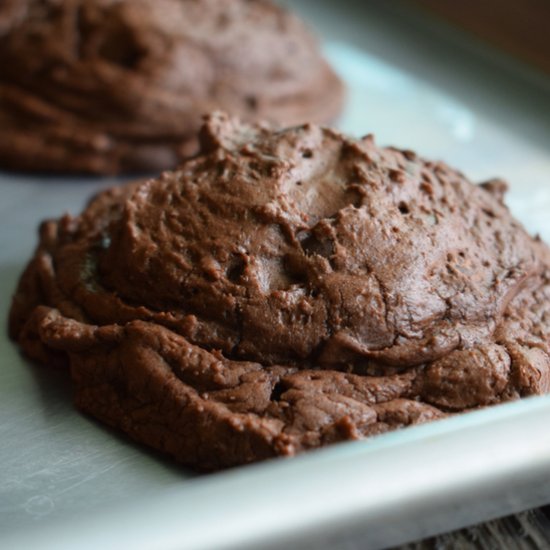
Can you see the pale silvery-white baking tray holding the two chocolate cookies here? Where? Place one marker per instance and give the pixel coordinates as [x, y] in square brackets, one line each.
[67, 482]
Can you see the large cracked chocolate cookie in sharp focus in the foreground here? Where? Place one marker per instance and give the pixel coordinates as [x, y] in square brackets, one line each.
[284, 290]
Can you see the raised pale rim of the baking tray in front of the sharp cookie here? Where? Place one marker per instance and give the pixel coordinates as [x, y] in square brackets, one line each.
[183, 516]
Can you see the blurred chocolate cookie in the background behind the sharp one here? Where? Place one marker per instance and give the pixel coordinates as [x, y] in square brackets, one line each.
[107, 86]
